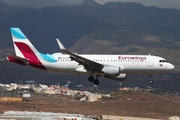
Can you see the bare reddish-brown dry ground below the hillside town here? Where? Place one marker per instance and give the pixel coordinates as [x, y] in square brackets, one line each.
[139, 104]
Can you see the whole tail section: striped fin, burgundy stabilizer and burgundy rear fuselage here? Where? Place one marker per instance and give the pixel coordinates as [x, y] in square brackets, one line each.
[26, 53]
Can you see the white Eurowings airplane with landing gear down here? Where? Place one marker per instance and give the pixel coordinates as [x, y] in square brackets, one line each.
[115, 67]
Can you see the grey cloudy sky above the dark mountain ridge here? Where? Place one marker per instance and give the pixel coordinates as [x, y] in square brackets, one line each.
[45, 3]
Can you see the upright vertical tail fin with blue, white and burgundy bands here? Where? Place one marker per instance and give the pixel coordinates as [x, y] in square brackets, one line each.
[23, 47]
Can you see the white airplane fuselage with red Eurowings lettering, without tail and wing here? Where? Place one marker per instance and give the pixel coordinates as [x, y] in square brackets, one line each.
[129, 64]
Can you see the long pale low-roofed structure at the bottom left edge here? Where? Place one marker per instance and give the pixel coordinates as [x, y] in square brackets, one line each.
[25, 115]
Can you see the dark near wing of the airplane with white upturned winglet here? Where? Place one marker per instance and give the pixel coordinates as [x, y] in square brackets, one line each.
[88, 64]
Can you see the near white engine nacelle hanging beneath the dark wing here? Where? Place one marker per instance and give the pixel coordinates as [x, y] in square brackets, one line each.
[111, 70]
